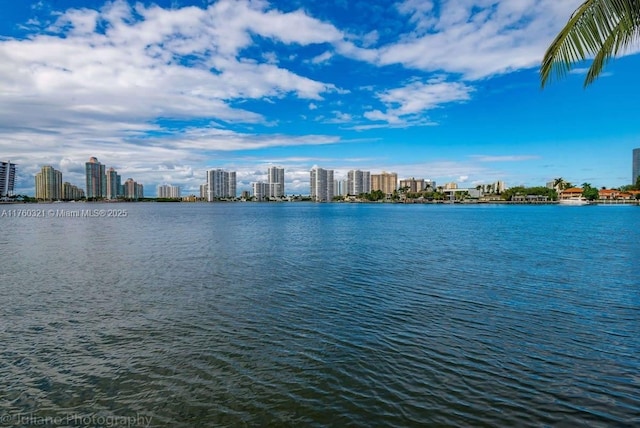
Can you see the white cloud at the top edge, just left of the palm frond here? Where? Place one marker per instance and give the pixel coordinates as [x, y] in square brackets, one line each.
[477, 38]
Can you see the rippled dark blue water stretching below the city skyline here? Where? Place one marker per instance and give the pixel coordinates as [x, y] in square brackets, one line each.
[322, 315]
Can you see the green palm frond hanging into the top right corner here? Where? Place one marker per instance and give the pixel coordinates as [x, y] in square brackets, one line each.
[598, 28]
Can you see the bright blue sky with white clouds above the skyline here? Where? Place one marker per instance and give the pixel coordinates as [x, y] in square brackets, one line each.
[442, 90]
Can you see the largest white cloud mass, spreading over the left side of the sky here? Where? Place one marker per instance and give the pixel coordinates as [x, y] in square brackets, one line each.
[100, 82]
